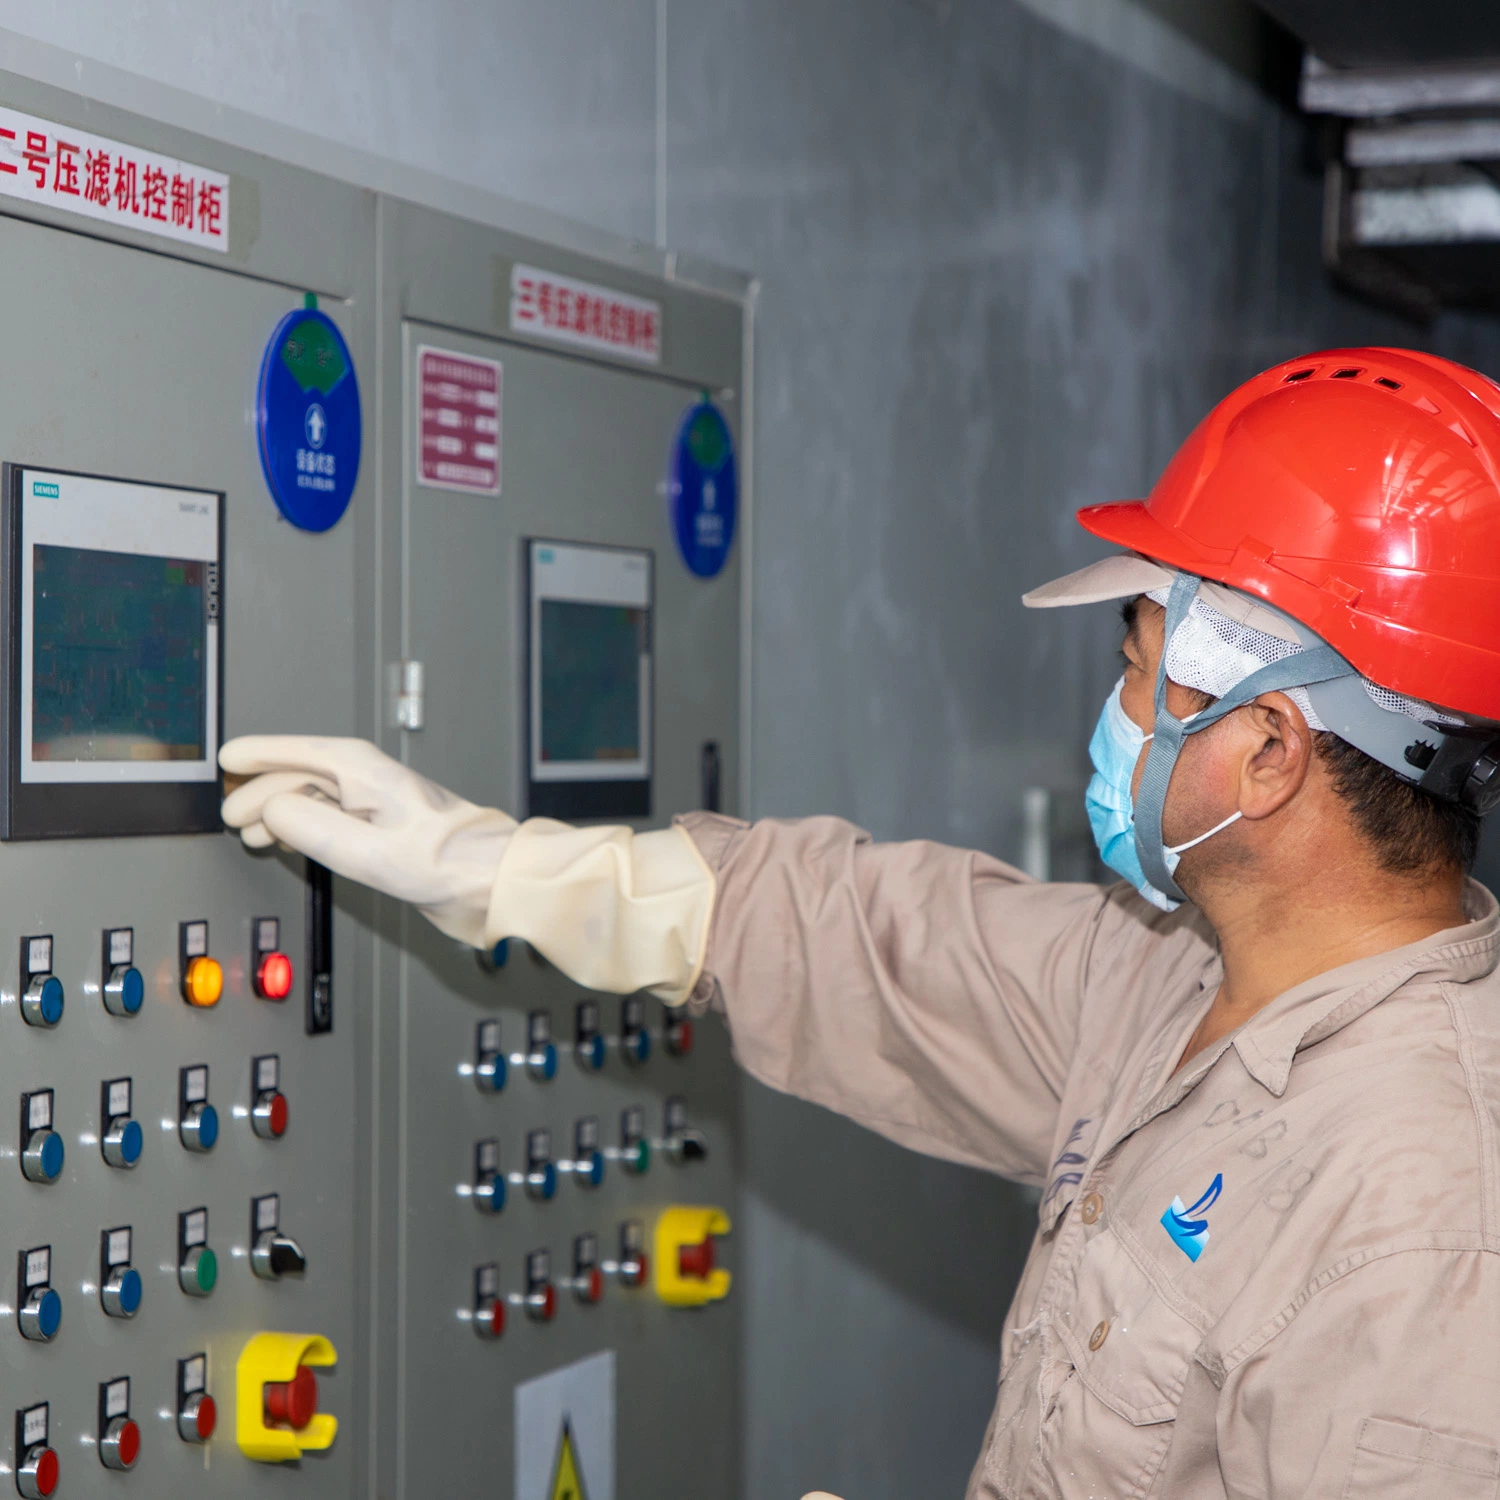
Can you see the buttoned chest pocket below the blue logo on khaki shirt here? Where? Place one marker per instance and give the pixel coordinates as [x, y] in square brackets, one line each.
[1129, 1345]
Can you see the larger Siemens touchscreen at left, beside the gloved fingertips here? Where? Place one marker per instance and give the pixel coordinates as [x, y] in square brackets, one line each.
[113, 656]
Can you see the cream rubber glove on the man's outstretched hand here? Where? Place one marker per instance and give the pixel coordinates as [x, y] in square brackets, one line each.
[613, 910]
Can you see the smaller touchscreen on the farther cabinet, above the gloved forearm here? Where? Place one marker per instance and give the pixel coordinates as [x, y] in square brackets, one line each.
[590, 682]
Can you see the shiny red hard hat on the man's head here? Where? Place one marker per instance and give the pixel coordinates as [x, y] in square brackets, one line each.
[1360, 493]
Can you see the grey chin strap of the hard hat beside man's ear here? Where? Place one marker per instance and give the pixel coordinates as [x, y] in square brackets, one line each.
[1318, 664]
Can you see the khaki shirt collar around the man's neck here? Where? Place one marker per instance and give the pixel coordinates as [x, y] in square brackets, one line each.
[1315, 1010]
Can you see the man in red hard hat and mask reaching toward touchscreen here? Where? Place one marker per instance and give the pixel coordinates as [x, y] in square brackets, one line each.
[1258, 1081]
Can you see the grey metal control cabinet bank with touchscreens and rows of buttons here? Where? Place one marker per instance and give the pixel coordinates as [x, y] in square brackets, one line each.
[304, 1198]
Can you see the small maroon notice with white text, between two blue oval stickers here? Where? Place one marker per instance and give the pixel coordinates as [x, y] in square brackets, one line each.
[458, 422]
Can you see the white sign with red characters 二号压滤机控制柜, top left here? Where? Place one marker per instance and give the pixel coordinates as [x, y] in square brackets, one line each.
[89, 175]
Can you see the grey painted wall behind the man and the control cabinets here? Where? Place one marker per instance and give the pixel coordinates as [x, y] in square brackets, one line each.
[1006, 266]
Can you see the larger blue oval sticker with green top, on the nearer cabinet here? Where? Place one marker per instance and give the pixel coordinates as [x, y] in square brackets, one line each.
[308, 418]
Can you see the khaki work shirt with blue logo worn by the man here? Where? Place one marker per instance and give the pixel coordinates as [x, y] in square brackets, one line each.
[1273, 1274]
